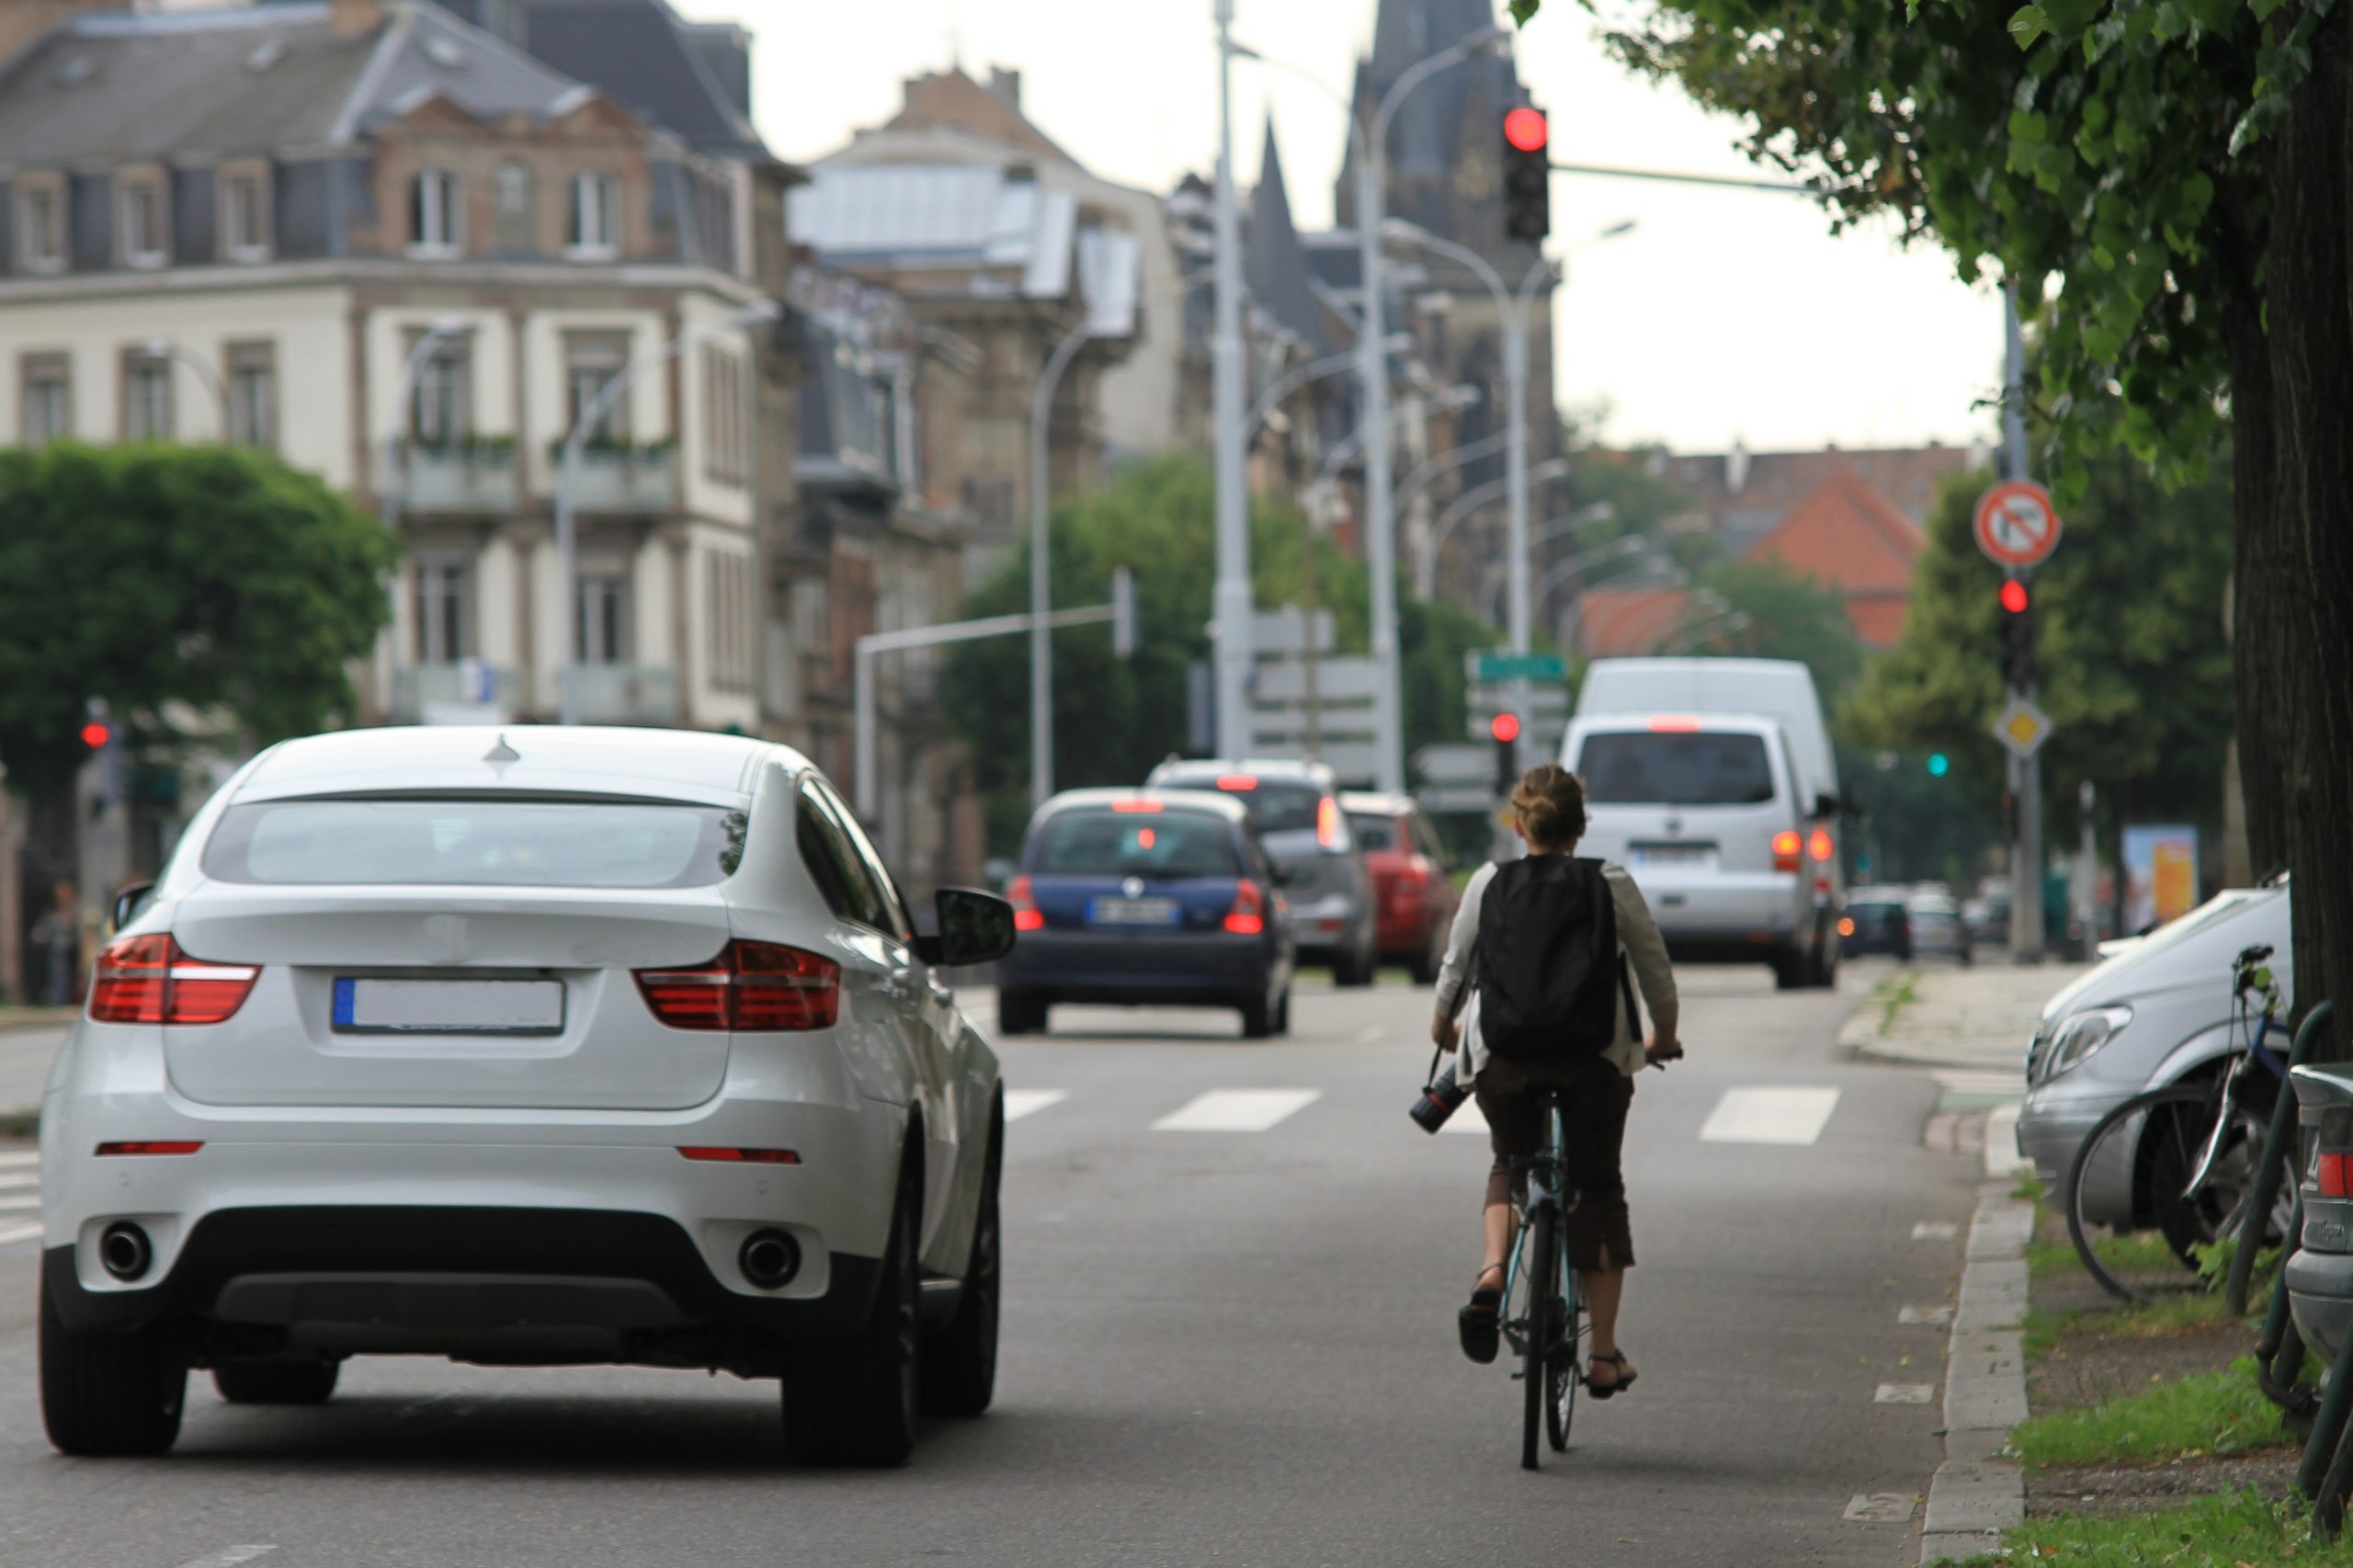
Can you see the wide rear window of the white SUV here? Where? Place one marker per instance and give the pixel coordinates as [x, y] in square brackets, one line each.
[472, 842]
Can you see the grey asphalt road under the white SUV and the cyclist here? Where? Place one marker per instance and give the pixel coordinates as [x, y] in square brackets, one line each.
[1220, 1348]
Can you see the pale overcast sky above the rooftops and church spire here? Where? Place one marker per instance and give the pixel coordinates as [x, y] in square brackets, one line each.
[1724, 317]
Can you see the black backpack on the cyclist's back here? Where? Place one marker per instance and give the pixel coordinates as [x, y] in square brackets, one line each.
[1549, 962]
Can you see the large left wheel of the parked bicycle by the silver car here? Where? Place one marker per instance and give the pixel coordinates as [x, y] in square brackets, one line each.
[2126, 1197]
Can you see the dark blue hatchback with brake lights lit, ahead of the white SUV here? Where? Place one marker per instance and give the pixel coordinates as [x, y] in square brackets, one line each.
[1147, 898]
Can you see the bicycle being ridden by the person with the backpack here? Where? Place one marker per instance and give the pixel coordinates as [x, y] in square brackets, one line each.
[1549, 1329]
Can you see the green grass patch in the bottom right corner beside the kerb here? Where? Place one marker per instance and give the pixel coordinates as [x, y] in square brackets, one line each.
[2237, 1532]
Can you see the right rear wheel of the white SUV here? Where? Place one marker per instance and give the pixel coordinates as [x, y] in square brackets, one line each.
[855, 1404]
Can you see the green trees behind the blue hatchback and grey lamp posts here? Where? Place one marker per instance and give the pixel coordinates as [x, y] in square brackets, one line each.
[1119, 717]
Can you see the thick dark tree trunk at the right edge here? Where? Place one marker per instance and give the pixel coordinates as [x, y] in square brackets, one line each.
[2312, 380]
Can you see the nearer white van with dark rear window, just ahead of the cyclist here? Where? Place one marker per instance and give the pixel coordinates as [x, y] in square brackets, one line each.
[1712, 818]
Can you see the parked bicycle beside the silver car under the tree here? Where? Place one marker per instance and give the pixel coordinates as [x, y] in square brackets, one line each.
[2180, 1160]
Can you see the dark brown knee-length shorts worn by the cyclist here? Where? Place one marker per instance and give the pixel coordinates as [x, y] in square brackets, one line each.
[1594, 1098]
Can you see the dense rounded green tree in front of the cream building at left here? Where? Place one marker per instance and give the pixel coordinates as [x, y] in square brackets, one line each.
[154, 578]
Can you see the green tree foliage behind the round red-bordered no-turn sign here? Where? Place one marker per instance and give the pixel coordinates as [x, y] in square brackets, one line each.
[2135, 667]
